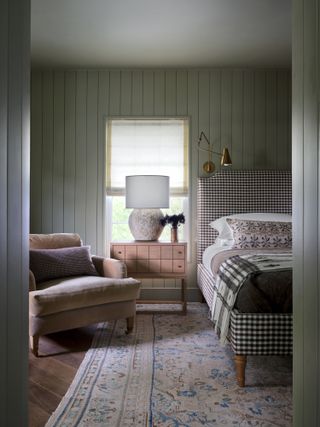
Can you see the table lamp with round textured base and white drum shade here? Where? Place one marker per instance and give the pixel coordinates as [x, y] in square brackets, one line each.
[146, 194]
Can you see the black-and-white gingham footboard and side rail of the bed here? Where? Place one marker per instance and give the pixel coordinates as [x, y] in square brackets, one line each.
[252, 333]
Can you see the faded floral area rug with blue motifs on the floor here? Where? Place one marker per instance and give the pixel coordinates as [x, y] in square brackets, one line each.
[172, 372]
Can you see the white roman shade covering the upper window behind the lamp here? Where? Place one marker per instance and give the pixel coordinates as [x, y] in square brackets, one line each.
[147, 147]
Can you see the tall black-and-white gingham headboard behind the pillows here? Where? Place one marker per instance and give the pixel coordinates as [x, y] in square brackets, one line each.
[240, 191]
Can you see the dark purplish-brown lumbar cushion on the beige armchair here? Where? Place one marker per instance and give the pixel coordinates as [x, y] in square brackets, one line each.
[47, 264]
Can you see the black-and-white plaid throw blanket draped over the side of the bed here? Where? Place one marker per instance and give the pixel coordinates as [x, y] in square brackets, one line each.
[231, 276]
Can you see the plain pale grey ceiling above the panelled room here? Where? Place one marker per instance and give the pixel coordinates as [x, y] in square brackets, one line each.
[160, 33]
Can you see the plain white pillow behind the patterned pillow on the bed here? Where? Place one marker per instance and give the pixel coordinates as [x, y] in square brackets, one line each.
[225, 231]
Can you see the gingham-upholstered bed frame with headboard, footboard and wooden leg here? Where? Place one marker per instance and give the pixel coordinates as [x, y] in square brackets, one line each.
[233, 193]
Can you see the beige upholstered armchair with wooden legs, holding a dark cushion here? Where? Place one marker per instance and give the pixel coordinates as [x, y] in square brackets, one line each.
[91, 289]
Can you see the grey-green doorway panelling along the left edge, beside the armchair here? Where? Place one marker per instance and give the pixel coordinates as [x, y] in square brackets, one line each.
[14, 209]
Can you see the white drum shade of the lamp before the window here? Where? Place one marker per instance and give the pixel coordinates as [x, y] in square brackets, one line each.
[147, 191]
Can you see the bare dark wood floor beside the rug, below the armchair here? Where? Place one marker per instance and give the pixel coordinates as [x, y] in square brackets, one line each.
[51, 374]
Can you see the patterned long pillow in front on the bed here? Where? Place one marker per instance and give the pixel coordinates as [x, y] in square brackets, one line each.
[261, 234]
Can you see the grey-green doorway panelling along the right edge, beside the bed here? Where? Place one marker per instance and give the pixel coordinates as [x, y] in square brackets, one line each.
[306, 223]
